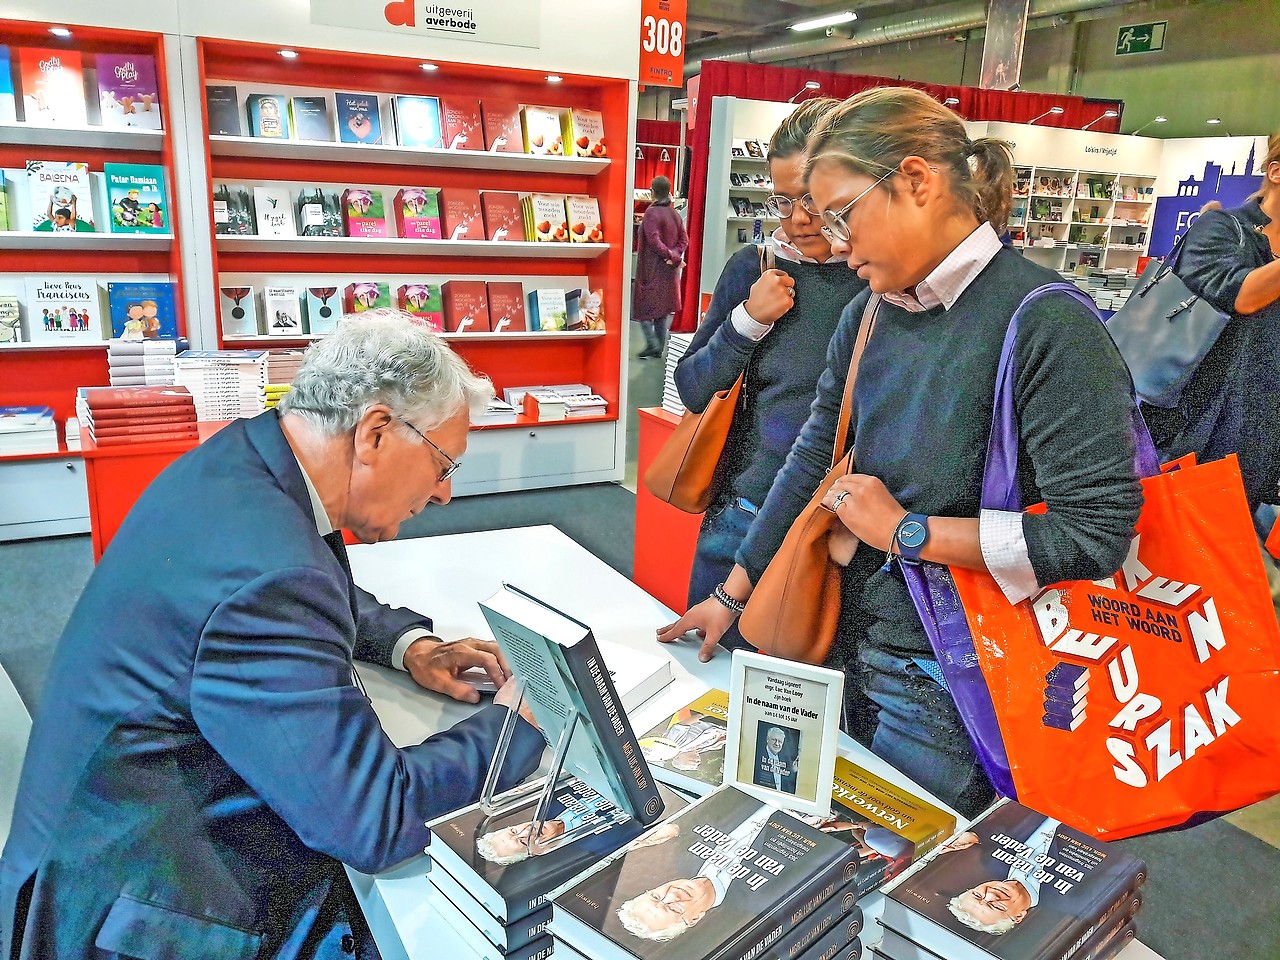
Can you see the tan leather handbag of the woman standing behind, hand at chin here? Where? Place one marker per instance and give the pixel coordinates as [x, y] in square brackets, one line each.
[689, 468]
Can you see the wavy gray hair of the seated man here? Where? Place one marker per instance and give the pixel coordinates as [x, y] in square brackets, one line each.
[383, 356]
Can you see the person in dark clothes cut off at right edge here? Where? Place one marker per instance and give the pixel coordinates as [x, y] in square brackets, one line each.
[1232, 404]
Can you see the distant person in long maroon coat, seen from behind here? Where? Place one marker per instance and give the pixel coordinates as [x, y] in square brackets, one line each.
[661, 249]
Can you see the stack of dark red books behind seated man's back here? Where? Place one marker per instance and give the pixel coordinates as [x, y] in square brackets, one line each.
[122, 415]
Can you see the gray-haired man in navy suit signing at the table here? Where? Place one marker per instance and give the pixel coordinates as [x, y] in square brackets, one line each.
[204, 762]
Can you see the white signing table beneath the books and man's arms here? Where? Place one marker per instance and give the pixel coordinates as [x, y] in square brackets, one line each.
[446, 578]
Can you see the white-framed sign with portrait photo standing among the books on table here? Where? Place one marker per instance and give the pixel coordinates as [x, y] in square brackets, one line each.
[784, 721]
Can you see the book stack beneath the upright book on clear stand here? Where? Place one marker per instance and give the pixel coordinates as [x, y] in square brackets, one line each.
[490, 881]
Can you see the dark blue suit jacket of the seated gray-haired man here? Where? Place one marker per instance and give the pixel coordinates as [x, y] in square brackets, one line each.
[202, 764]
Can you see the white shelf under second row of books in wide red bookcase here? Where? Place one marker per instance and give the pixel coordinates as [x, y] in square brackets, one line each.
[401, 246]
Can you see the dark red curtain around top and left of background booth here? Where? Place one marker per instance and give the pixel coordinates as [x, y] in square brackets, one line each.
[721, 79]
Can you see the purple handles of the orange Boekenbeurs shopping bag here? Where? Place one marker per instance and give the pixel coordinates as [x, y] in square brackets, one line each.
[1000, 478]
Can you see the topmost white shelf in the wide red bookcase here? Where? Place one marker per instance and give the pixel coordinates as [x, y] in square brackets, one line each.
[385, 154]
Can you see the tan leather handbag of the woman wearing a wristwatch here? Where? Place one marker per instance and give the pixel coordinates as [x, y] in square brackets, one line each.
[796, 609]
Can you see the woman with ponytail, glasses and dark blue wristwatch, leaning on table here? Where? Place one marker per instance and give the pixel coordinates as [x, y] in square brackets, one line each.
[916, 208]
